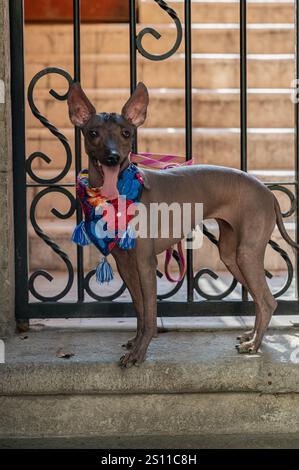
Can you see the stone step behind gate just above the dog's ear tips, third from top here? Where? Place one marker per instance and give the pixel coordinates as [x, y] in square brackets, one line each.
[208, 71]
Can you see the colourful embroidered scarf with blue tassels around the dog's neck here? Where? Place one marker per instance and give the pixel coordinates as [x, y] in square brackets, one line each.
[107, 222]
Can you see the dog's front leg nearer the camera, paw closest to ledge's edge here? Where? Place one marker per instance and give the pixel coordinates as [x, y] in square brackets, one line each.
[146, 264]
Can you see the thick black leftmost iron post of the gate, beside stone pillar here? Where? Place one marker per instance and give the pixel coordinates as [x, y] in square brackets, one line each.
[19, 156]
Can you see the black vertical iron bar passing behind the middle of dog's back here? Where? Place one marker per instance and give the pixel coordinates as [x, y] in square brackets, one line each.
[188, 125]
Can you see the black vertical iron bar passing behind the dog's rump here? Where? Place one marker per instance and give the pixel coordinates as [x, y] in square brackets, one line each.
[243, 95]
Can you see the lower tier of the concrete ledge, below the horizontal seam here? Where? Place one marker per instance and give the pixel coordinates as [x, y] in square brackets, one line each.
[163, 415]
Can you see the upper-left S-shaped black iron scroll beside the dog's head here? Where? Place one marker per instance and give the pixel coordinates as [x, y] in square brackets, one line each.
[44, 121]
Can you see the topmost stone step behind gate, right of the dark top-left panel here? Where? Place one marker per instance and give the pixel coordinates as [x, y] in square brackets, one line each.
[227, 11]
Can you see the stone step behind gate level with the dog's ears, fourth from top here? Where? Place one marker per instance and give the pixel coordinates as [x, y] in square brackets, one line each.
[211, 108]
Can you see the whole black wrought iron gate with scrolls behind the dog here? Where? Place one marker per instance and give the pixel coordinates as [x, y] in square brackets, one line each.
[43, 306]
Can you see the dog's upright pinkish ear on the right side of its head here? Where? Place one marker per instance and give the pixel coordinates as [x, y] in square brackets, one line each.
[135, 108]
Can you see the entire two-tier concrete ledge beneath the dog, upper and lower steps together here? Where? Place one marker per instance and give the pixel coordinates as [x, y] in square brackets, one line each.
[192, 384]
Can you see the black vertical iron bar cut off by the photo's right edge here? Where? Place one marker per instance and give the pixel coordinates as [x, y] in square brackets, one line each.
[297, 138]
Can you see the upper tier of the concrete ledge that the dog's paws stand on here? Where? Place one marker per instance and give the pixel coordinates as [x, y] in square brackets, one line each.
[177, 362]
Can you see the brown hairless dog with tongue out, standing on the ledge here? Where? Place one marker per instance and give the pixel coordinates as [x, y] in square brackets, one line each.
[244, 208]
